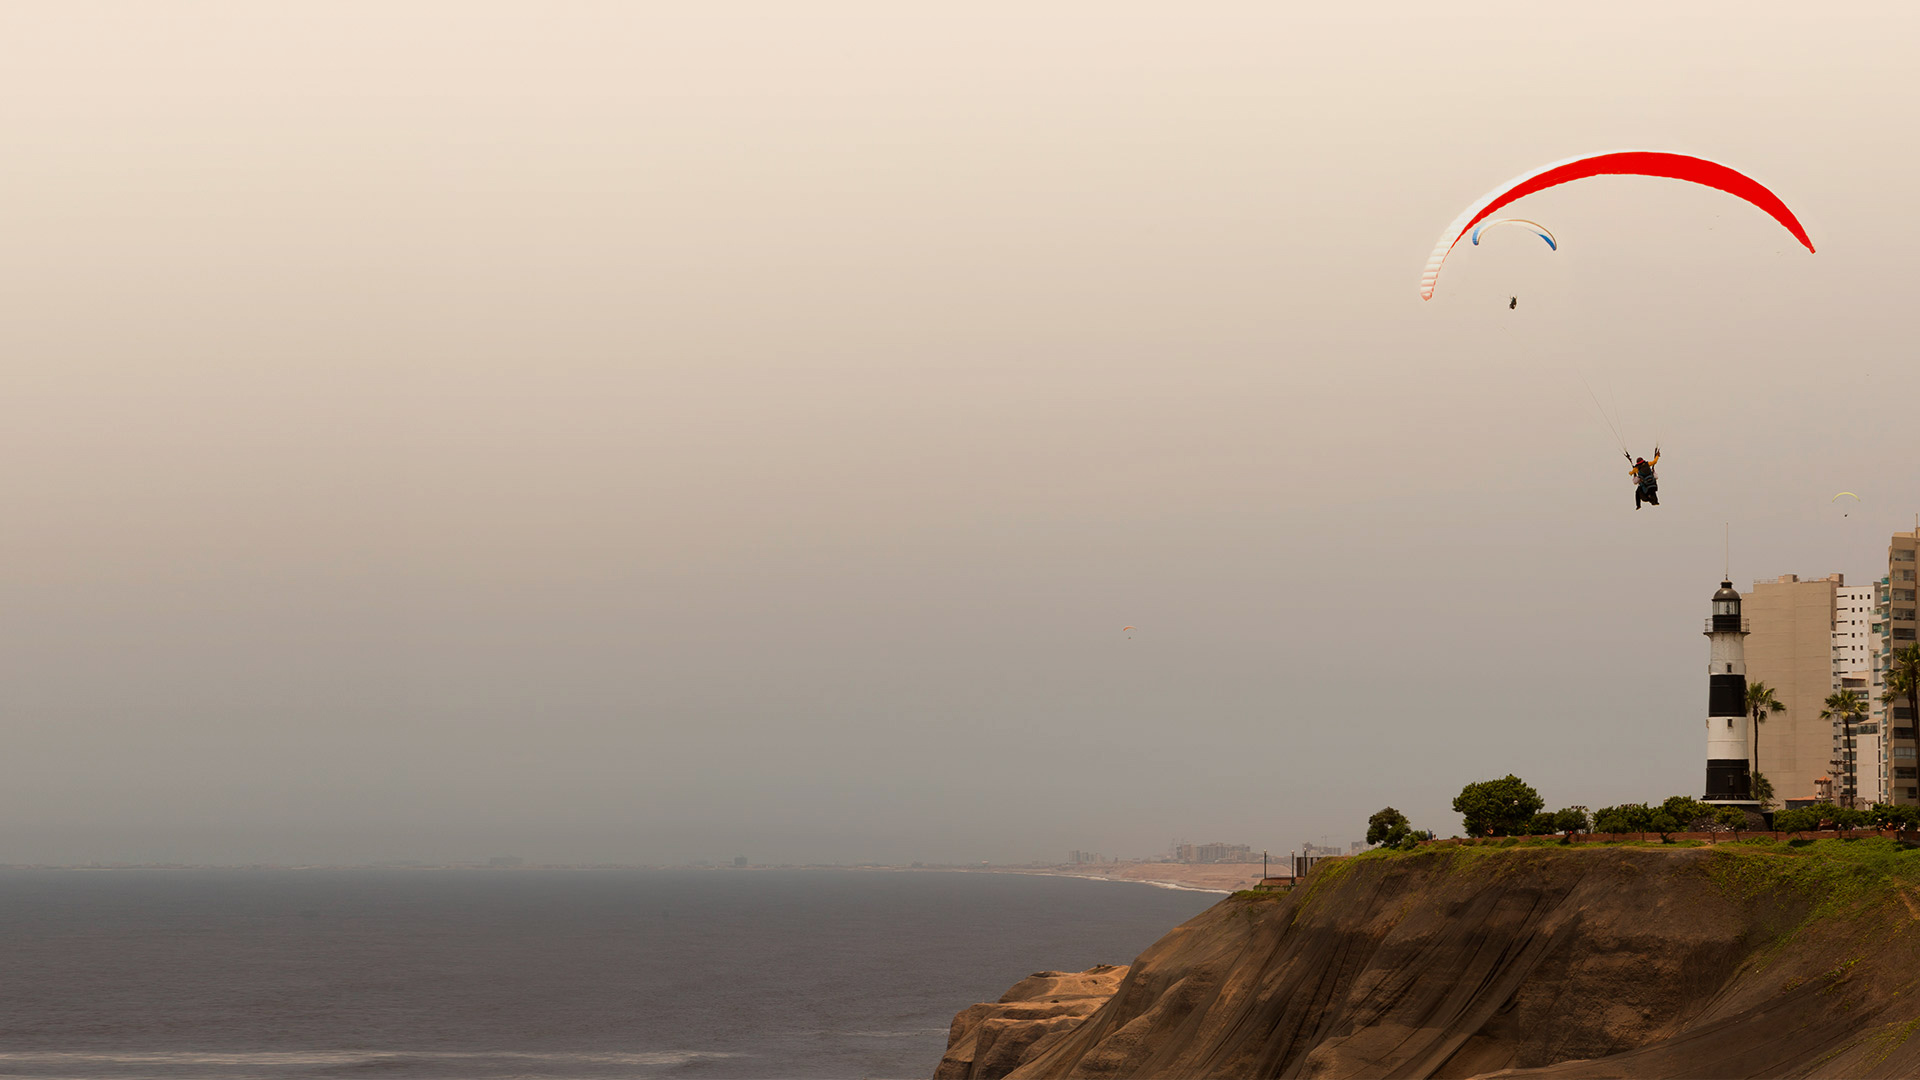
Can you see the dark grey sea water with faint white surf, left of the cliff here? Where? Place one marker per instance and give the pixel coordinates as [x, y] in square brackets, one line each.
[531, 973]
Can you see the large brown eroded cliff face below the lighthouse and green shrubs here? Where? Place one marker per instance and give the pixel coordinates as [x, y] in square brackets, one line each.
[1525, 962]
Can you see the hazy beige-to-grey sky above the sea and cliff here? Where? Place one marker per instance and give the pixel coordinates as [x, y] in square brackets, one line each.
[665, 431]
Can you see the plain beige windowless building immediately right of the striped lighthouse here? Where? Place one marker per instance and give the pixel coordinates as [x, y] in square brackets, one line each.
[1792, 650]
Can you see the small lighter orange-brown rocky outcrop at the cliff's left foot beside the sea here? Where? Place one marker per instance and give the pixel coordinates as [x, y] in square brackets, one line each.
[990, 1041]
